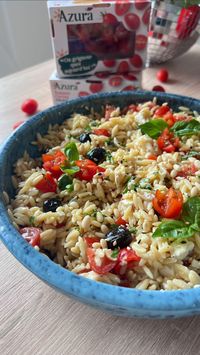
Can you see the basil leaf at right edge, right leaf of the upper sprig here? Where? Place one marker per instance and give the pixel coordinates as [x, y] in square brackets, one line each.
[183, 128]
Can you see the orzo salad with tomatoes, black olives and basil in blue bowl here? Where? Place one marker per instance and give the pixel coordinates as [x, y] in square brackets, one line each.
[116, 197]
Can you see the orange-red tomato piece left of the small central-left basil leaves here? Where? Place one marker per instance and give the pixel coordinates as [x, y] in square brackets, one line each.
[53, 162]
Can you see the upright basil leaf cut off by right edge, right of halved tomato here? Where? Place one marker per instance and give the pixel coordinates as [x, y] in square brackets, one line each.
[191, 211]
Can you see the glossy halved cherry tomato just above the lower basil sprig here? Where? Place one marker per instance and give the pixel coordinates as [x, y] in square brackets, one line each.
[168, 204]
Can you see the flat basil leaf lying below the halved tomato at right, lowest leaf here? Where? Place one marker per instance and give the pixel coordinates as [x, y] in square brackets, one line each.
[173, 229]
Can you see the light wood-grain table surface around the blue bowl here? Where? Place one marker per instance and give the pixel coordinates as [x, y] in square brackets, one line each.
[34, 319]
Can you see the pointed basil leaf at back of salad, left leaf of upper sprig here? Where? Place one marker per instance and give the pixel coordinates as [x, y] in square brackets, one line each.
[153, 128]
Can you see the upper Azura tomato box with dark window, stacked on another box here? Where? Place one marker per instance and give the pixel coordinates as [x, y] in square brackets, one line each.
[99, 35]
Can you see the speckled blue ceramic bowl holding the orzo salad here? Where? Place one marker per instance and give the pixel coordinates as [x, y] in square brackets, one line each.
[114, 299]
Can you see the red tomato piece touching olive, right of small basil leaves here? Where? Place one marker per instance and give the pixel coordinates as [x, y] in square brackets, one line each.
[87, 169]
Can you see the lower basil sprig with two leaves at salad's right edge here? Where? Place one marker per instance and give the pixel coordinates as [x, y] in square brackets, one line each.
[184, 228]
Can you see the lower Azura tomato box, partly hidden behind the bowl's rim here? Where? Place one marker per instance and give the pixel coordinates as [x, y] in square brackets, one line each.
[69, 88]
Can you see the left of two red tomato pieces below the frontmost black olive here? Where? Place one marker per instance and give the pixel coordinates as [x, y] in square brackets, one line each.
[106, 264]
